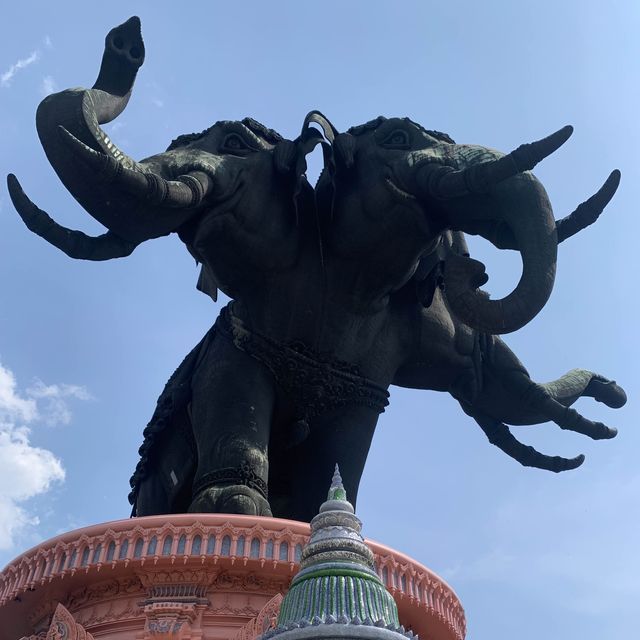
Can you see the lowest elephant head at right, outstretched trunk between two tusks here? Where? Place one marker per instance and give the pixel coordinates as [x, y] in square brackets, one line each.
[491, 384]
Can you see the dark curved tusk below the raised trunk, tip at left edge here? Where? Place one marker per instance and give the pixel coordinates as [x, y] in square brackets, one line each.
[75, 244]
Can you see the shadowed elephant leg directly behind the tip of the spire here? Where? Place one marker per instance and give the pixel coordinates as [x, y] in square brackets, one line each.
[341, 436]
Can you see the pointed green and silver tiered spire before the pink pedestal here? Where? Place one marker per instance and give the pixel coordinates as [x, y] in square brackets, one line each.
[337, 582]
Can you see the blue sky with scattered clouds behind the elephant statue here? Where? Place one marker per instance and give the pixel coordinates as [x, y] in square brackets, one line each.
[85, 349]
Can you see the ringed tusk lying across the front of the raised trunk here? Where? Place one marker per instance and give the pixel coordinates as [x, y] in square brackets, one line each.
[186, 192]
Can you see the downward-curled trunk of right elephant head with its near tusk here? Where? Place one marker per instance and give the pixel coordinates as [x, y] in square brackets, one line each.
[482, 189]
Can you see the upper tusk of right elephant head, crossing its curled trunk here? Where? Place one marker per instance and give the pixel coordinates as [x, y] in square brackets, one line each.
[443, 182]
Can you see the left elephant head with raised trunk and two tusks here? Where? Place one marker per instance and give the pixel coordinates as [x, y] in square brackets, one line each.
[239, 169]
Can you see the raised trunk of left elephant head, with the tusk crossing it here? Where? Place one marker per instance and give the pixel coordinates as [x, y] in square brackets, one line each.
[131, 199]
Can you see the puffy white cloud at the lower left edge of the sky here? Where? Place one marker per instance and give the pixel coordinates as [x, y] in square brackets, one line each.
[27, 471]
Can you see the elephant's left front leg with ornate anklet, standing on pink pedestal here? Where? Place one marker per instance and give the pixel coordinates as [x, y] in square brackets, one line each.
[231, 412]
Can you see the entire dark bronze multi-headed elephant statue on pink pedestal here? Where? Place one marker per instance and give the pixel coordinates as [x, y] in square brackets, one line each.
[338, 291]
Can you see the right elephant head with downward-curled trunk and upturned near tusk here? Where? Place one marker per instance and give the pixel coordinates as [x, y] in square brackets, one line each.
[414, 184]
